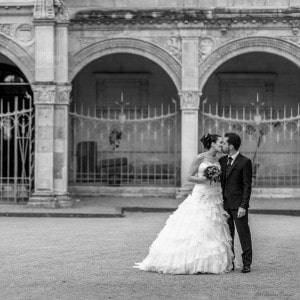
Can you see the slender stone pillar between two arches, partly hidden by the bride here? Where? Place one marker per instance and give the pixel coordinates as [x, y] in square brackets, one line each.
[189, 104]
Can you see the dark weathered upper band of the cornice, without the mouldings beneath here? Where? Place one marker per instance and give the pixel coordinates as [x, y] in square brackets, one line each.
[184, 16]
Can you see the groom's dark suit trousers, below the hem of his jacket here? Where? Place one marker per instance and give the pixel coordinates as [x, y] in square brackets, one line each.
[243, 230]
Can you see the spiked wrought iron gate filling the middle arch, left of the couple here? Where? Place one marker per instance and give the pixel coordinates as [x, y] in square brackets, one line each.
[125, 146]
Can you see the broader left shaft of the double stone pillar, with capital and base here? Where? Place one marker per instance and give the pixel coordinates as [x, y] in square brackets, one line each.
[44, 91]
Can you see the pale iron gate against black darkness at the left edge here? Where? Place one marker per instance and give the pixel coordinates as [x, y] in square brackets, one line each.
[16, 149]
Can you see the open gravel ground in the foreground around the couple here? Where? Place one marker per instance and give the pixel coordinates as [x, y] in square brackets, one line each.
[48, 258]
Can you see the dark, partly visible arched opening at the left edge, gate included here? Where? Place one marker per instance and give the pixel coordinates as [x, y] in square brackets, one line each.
[16, 133]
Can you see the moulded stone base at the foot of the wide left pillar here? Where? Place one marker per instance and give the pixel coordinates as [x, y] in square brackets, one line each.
[49, 201]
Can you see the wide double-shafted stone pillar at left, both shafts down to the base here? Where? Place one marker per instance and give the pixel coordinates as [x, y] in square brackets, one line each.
[51, 99]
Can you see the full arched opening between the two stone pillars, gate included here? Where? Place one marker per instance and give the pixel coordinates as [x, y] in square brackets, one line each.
[124, 124]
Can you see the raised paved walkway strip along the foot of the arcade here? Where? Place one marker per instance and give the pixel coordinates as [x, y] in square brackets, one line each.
[117, 206]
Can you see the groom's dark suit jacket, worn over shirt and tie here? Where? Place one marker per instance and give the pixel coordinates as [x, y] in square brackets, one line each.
[237, 183]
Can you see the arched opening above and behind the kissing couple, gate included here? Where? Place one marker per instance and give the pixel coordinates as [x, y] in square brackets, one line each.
[257, 95]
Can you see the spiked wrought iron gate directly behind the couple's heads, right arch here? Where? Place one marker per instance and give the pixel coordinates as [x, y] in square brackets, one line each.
[270, 137]
